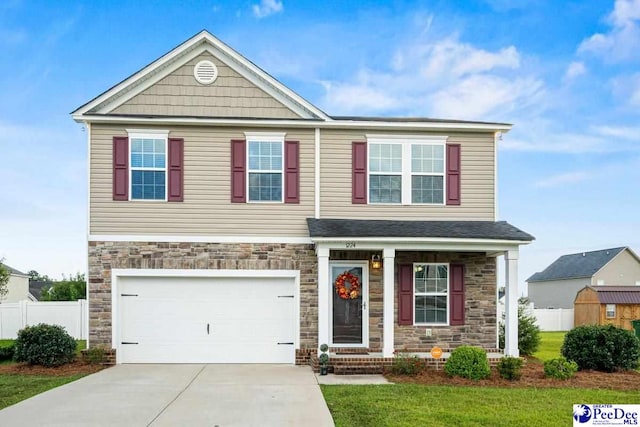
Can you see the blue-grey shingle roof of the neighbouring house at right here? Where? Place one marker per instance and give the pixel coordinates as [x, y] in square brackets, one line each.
[574, 266]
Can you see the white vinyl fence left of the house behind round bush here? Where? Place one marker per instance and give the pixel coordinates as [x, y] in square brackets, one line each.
[70, 314]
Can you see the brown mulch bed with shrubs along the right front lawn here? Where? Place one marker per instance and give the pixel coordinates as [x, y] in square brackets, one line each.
[532, 376]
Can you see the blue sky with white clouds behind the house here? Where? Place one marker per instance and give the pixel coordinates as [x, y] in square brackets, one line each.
[565, 73]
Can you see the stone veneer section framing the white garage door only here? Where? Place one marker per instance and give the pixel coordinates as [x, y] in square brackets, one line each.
[105, 256]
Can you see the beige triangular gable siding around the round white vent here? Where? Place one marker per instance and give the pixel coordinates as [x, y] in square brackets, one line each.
[231, 95]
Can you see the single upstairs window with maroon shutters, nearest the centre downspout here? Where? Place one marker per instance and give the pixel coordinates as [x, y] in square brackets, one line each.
[265, 167]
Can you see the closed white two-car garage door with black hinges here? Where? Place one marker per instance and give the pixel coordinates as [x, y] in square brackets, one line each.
[206, 320]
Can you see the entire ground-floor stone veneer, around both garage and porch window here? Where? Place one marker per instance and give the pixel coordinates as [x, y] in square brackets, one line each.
[480, 287]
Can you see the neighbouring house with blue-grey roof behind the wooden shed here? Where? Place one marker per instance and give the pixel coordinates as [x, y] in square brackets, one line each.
[556, 286]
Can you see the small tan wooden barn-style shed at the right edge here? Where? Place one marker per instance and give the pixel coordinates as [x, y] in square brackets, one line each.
[603, 305]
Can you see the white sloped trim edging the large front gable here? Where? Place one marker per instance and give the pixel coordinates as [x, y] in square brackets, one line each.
[202, 43]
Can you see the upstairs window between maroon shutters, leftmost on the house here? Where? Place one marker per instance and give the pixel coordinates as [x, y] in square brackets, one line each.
[148, 160]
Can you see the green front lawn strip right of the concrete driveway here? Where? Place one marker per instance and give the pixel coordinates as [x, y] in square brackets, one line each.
[418, 405]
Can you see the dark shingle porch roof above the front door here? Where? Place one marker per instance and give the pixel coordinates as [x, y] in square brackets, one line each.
[500, 230]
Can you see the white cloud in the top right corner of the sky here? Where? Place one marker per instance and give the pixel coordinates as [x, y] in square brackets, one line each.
[622, 41]
